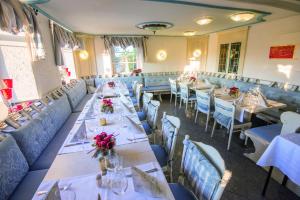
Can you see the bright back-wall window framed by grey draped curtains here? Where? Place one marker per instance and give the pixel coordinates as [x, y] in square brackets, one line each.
[124, 60]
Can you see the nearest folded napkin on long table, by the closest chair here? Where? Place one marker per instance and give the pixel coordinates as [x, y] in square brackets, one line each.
[146, 184]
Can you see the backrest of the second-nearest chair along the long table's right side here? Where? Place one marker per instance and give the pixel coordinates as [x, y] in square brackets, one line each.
[170, 127]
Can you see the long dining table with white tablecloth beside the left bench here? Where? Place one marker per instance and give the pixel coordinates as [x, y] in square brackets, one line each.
[132, 145]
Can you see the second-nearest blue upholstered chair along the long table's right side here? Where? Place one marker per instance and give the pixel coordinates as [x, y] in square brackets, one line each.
[164, 151]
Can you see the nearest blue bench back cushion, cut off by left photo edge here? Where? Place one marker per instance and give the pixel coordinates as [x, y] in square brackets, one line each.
[13, 166]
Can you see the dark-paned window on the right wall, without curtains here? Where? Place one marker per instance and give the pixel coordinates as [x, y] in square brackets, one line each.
[229, 57]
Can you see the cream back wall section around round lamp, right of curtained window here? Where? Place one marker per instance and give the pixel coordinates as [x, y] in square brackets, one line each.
[176, 54]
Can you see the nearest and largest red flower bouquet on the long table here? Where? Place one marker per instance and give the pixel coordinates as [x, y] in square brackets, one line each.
[103, 143]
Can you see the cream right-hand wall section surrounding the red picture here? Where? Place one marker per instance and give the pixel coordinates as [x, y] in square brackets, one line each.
[261, 37]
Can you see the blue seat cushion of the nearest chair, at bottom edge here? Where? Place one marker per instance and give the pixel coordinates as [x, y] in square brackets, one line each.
[180, 192]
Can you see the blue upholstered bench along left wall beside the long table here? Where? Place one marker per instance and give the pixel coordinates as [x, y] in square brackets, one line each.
[27, 153]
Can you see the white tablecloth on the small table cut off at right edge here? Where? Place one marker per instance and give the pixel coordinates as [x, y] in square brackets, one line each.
[284, 153]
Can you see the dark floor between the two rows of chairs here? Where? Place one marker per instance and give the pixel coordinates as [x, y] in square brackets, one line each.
[247, 178]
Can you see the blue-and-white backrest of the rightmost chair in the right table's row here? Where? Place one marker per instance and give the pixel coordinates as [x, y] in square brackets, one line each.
[224, 112]
